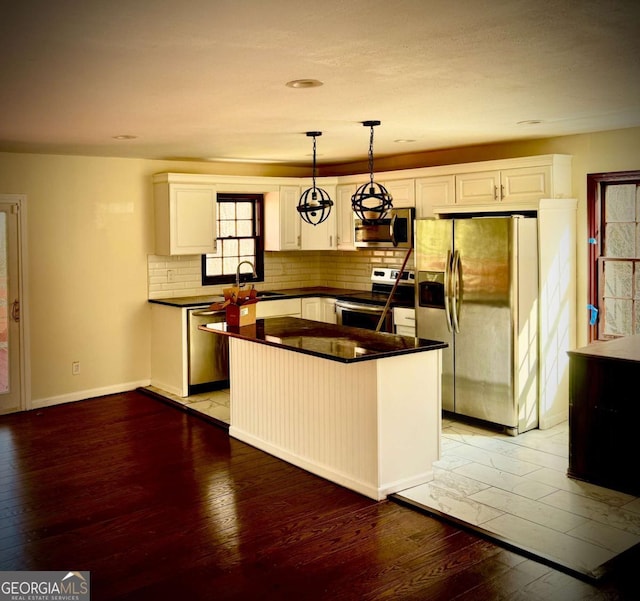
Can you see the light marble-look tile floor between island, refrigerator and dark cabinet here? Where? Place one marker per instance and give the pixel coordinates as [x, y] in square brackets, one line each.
[516, 489]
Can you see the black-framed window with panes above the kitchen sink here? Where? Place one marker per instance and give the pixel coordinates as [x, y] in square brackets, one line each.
[240, 238]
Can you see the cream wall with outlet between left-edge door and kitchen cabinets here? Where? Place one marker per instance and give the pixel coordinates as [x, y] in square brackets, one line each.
[89, 233]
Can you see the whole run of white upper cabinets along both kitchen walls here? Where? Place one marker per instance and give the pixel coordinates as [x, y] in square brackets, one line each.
[186, 203]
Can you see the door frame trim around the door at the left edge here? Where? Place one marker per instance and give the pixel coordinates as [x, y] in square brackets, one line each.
[20, 200]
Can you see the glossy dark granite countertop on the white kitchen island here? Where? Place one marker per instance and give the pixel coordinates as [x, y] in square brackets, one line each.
[329, 341]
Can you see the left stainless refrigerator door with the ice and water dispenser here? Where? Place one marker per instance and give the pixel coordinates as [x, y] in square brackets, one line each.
[433, 251]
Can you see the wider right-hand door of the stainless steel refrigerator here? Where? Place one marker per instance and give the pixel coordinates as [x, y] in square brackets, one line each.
[484, 339]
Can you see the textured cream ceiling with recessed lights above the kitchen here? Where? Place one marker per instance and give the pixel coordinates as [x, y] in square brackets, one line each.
[205, 79]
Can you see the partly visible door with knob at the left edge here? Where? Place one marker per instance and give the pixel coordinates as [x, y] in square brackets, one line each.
[10, 331]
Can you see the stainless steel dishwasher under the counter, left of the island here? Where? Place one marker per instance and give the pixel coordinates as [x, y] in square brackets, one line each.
[208, 352]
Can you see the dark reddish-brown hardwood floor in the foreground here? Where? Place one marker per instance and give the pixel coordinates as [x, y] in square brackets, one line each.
[159, 504]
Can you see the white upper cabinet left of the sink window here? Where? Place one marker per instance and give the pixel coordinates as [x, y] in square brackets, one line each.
[185, 216]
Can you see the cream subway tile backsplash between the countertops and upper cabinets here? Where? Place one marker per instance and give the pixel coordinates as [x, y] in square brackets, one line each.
[181, 275]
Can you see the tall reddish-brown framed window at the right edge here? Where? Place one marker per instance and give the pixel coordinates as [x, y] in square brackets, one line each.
[614, 277]
